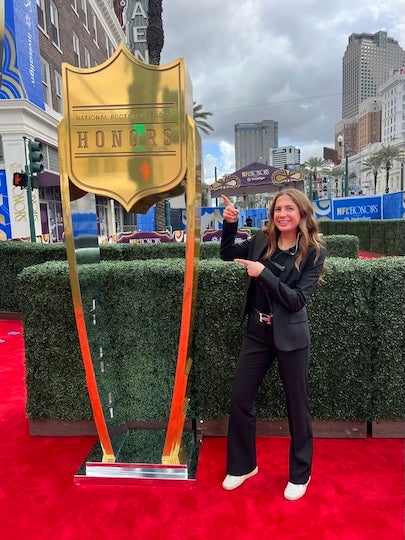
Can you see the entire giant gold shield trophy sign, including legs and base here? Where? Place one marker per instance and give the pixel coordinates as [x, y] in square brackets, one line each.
[127, 134]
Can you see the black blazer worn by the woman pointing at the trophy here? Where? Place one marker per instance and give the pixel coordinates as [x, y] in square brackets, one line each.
[288, 292]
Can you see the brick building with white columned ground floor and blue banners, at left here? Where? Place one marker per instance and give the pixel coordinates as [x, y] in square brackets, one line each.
[37, 39]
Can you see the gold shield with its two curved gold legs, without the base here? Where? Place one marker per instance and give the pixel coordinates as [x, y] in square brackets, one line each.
[128, 134]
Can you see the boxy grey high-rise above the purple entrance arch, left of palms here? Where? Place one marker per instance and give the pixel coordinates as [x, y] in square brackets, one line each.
[253, 141]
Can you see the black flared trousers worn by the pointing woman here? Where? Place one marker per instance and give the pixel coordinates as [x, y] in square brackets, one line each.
[257, 355]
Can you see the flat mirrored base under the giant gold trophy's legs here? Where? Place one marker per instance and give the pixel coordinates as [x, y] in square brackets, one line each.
[138, 462]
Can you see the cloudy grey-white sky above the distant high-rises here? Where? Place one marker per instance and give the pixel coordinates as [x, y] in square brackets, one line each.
[253, 60]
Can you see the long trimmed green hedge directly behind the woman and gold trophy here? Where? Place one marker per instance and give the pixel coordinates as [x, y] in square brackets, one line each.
[357, 320]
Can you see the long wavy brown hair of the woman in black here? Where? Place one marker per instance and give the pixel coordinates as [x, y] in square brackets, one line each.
[308, 228]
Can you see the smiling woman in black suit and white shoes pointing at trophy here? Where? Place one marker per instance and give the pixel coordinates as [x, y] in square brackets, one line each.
[284, 262]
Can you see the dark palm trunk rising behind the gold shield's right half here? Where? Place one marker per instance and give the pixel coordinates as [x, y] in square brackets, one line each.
[155, 42]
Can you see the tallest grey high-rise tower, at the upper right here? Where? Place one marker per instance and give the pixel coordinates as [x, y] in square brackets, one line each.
[367, 63]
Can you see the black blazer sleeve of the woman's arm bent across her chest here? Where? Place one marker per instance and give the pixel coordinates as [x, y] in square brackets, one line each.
[293, 295]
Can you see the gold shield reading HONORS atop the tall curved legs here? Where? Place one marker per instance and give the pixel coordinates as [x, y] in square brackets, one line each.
[125, 129]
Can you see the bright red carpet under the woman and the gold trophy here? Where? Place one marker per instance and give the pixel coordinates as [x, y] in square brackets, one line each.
[357, 490]
